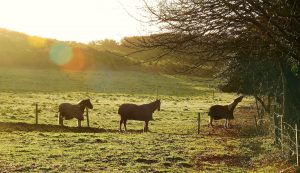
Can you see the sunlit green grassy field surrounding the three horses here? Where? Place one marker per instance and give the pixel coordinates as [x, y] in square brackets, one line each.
[172, 145]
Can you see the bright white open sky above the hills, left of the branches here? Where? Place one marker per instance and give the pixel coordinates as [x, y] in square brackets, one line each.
[74, 20]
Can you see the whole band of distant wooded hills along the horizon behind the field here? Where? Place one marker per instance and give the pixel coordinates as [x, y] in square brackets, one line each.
[21, 50]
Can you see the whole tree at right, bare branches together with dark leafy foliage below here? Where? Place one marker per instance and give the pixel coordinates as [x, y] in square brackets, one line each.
[213, 30]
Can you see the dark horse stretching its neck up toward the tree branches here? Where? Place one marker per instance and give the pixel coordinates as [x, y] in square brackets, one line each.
[217, 112]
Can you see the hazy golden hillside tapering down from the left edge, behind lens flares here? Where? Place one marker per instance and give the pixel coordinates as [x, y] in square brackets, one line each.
[21, 50]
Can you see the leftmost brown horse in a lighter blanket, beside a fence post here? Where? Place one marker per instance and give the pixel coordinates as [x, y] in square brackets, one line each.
[69, 111]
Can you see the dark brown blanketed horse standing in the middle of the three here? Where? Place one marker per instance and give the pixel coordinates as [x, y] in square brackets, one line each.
[138, 112]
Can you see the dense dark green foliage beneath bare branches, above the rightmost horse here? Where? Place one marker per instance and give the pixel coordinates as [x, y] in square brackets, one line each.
[252, 70]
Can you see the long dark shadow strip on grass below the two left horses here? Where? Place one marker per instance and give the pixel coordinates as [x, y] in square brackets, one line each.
[10, 127]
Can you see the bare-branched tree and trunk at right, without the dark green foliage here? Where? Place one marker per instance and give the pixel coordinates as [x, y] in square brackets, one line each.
[215, 30]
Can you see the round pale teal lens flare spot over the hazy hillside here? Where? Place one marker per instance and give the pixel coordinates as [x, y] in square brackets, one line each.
[60, 53]
